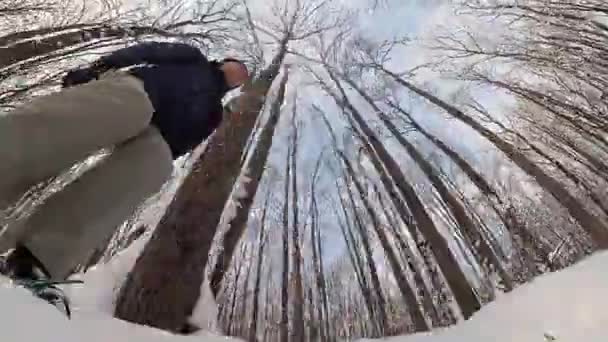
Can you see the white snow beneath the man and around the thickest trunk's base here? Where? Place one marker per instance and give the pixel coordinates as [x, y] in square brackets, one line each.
[26, 318]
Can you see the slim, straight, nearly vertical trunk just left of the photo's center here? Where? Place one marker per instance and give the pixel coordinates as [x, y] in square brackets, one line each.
[298, 302]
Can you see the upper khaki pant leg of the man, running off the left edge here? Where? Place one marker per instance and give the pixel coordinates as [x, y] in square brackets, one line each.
[46, 136]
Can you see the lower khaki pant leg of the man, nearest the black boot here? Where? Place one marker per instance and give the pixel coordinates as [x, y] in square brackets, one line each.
[73, 222]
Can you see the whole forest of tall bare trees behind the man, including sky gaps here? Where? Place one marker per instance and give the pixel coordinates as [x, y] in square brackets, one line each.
[390, 168]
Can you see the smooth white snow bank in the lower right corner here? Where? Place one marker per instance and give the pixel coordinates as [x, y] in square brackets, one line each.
[566, 306]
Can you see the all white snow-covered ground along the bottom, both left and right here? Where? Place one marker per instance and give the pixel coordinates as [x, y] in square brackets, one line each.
[571, 305]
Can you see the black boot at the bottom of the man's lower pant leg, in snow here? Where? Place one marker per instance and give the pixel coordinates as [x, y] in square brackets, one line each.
[27, 271]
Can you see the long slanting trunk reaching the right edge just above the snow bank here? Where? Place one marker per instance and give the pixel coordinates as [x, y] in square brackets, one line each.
[589, 222]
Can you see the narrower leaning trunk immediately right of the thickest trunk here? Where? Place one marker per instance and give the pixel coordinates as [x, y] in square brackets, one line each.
[255, 166]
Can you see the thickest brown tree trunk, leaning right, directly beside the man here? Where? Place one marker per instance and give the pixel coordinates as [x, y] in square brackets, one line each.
[164, 285]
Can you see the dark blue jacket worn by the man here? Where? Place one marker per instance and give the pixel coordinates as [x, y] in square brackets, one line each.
[185, 89]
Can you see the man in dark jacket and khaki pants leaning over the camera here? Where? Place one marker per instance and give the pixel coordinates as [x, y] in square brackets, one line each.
[167, 103]
